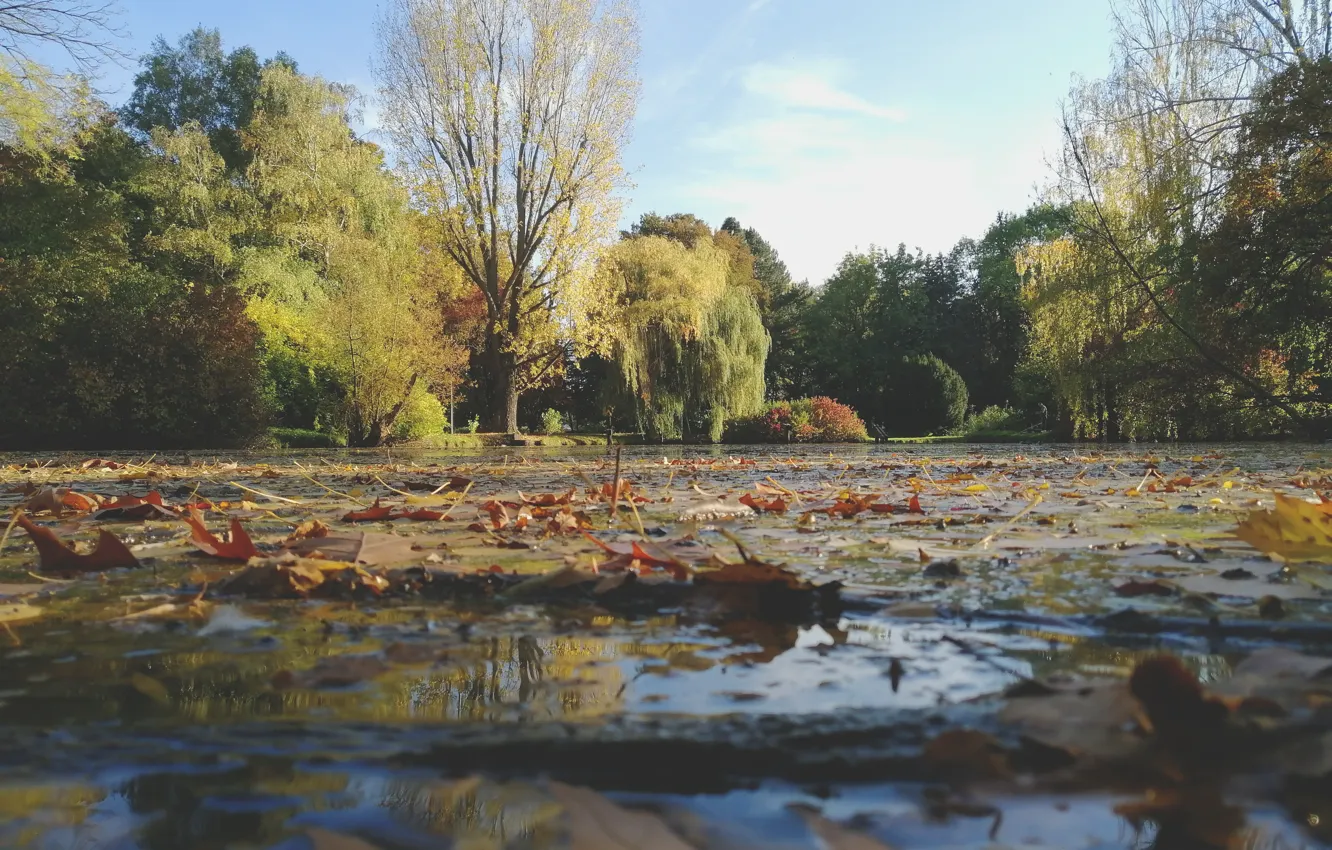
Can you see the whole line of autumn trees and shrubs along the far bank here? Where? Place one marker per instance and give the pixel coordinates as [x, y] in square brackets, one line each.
[226, 254]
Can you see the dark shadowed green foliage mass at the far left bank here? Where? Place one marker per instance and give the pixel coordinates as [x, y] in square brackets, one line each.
[103, 350]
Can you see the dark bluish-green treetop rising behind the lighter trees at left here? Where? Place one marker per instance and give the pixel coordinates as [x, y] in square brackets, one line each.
[198, 83]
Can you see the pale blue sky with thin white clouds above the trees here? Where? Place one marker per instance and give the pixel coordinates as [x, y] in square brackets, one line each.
[829, 126]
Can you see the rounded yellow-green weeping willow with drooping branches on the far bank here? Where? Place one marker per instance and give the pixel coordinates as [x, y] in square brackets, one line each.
[691, 347]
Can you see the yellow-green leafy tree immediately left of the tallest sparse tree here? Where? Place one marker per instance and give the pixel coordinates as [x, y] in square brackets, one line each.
[342, 279]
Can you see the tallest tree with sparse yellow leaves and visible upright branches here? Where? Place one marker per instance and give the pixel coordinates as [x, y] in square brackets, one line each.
[511, 117]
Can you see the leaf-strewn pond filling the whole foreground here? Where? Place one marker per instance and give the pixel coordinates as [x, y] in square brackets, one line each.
[576, 648]
